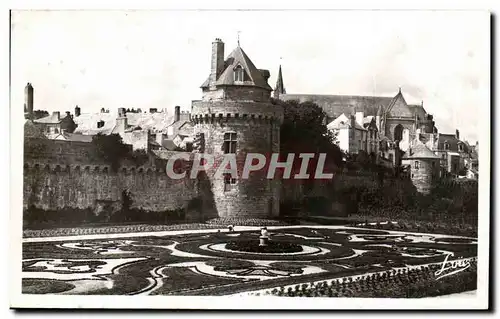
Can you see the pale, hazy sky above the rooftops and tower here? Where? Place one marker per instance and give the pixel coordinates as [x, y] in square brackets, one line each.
[159, 59]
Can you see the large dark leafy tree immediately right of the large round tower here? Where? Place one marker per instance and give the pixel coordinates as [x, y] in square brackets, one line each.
[304, 131]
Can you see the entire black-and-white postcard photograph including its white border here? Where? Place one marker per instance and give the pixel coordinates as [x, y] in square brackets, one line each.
[286, 159]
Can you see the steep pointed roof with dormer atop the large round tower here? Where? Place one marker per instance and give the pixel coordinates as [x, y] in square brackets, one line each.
[253, 76]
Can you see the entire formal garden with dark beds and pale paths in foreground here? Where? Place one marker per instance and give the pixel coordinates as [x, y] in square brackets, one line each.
[334, 261]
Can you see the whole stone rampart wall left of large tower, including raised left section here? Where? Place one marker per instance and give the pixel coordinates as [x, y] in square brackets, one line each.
[62, 174]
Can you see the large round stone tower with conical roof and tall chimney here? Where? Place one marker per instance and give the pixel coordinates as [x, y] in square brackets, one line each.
[235, 116]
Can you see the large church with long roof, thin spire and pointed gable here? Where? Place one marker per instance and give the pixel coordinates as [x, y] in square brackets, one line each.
[396, 121]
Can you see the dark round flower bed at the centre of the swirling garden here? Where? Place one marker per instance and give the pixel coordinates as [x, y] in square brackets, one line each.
[272, 247]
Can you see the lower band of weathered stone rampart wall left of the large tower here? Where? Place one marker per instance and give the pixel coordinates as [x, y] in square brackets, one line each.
[53, 188]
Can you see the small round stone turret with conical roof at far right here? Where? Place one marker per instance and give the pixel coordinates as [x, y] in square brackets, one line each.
[424, 167]
